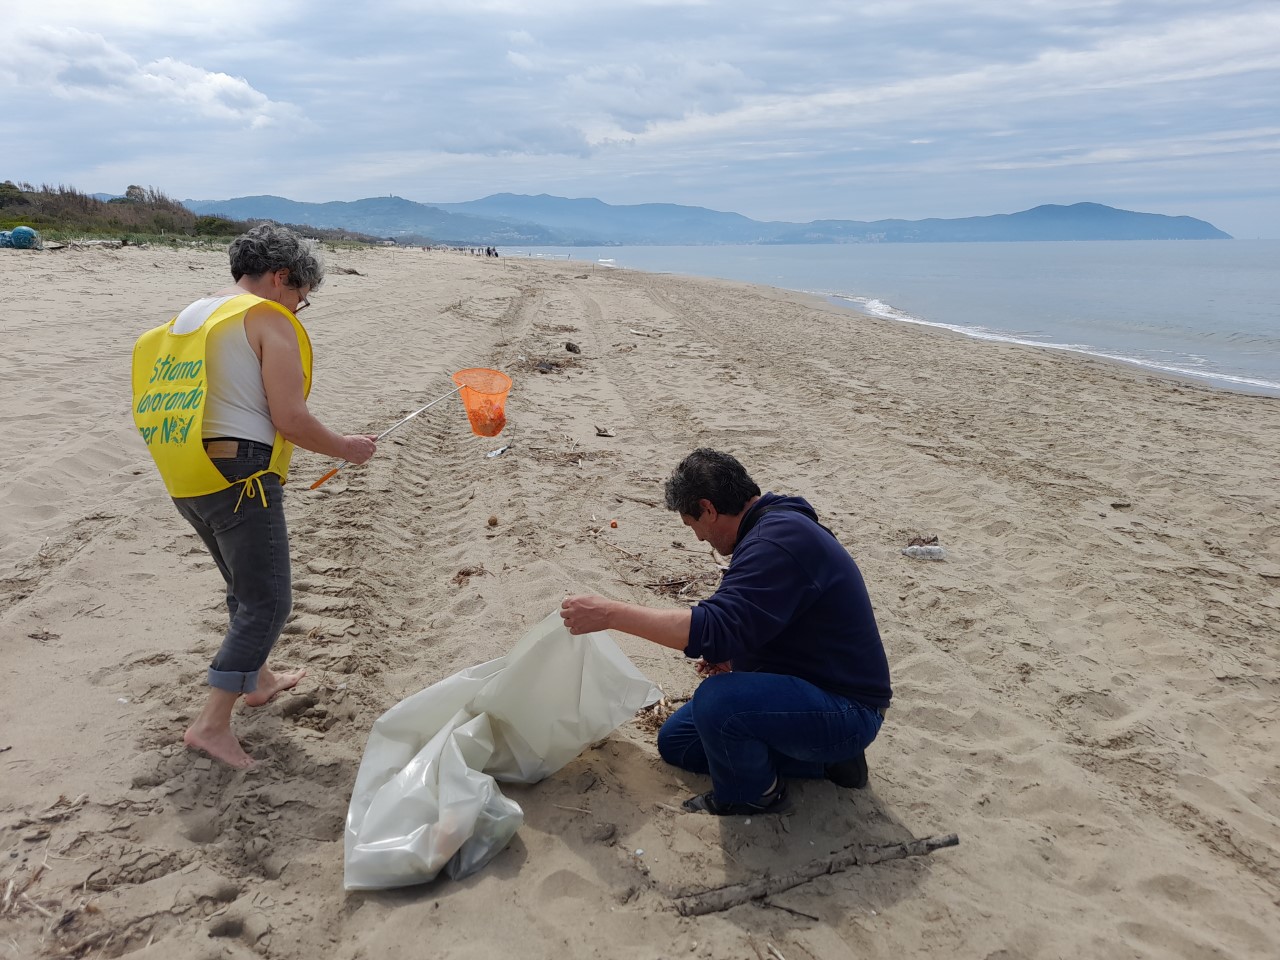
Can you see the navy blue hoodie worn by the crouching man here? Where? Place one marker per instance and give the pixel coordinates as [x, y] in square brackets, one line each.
[794, 602]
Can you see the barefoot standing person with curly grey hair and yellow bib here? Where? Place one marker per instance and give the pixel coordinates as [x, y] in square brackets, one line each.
[220, 396]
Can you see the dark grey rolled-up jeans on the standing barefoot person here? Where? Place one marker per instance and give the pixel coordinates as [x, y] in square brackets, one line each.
[252, 550]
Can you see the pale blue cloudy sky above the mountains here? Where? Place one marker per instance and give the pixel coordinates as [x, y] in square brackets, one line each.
[790, 111]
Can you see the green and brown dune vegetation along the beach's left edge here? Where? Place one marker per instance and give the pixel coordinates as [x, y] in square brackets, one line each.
[143, 216]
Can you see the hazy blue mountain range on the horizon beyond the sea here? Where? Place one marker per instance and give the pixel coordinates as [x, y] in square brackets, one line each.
[506, 220]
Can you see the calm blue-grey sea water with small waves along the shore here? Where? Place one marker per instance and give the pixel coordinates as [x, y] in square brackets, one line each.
[1208, 310]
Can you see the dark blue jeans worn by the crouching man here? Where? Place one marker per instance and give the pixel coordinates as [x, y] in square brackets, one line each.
[747, 730]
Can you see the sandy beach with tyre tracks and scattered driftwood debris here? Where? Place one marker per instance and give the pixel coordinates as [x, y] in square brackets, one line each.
[1086, 691]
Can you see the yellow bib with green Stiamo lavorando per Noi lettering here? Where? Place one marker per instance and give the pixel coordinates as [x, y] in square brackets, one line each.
[171, 390]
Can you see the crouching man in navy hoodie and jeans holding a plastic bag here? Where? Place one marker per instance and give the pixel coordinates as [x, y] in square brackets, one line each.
[797, 682]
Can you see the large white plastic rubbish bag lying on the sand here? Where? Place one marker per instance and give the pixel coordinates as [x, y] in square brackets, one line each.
[426, 797]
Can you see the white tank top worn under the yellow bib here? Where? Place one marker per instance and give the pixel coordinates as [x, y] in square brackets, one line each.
[236, 404]
